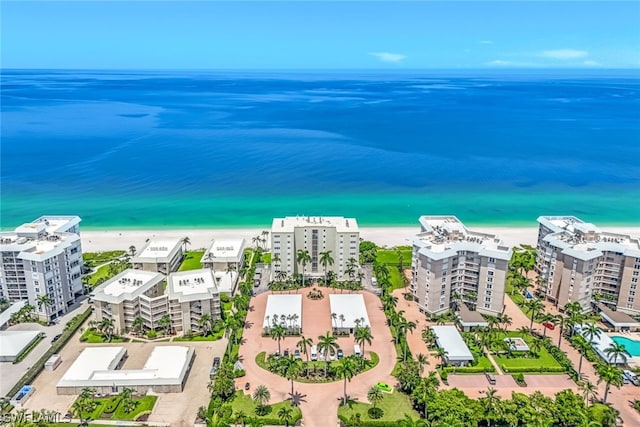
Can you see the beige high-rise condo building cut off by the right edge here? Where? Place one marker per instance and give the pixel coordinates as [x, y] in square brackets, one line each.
[576, 261]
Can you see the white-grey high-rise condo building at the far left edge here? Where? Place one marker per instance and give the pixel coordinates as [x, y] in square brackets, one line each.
[43, 258]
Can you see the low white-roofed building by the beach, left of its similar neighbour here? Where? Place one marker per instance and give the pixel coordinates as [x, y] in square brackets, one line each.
[160, 255]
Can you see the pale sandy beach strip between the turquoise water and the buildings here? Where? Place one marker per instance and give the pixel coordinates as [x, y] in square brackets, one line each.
[105, 240]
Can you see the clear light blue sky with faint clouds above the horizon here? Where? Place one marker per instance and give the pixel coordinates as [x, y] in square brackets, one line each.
[320, 35]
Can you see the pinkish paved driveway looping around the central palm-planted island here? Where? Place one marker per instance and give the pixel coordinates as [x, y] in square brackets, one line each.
[319, 402]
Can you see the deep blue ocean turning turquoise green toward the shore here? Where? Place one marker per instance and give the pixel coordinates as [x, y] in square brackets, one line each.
[177, 149]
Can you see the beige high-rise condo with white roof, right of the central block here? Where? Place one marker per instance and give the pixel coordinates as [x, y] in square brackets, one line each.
[453, 265]
